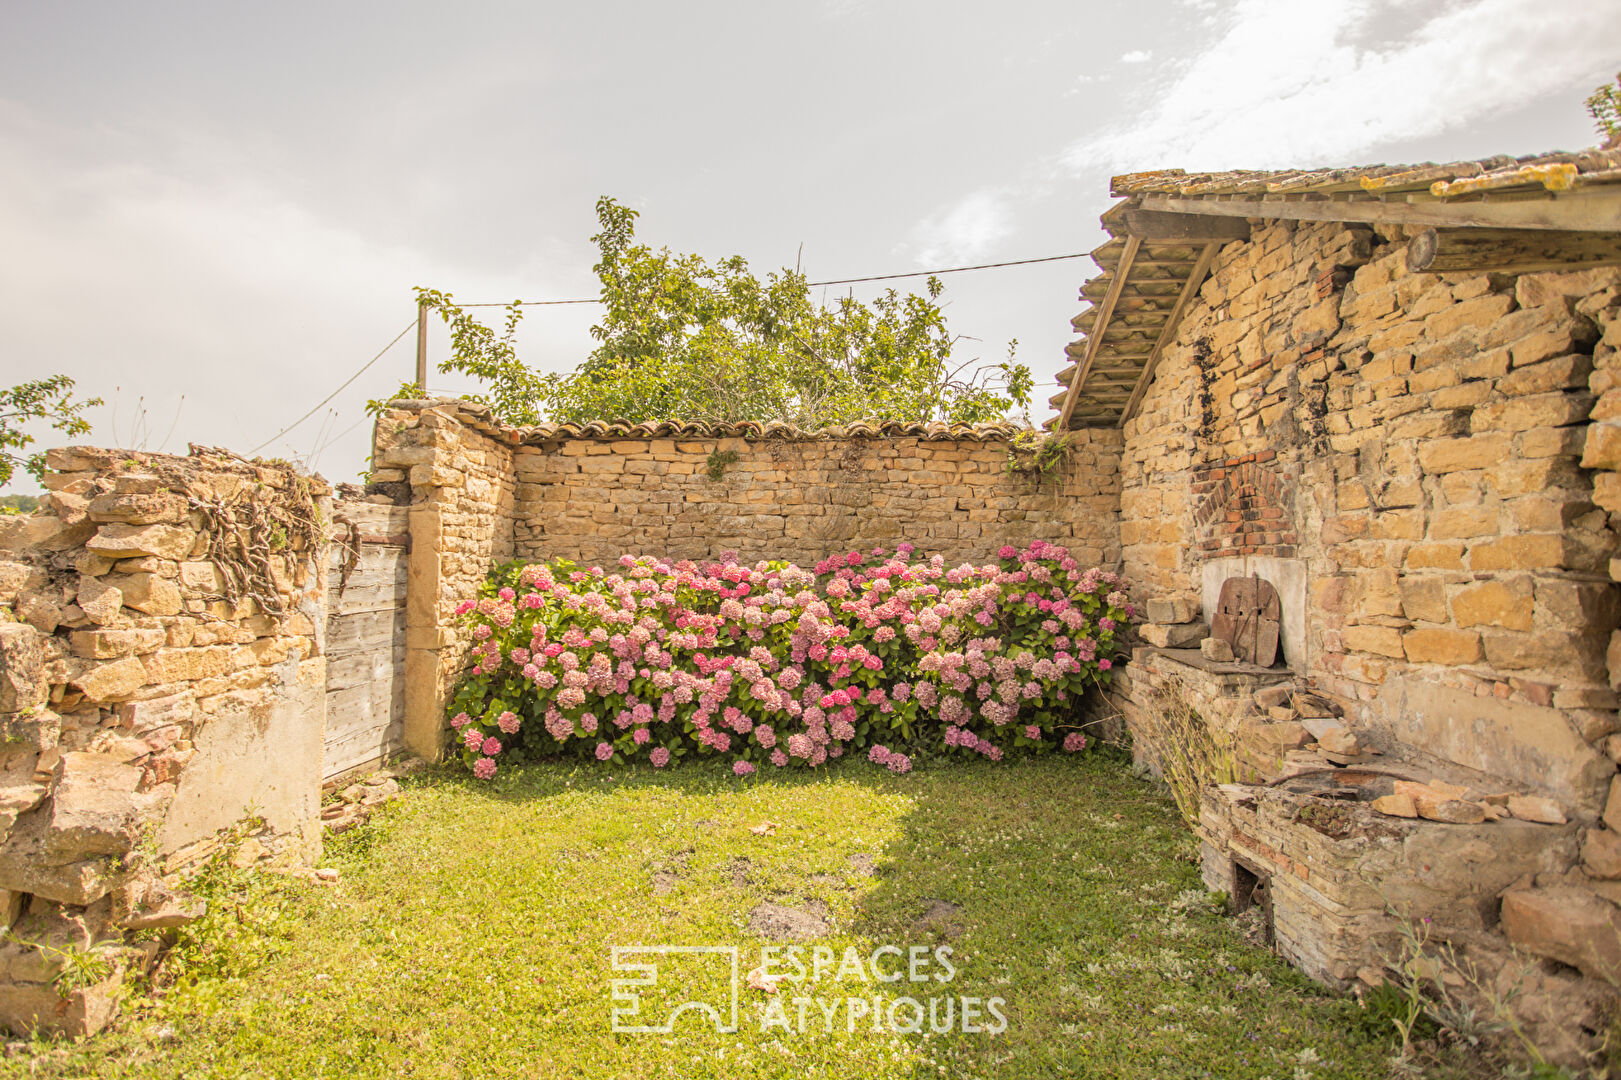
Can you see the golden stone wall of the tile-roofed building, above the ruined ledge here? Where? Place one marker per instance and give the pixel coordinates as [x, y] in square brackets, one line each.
[1419, 437]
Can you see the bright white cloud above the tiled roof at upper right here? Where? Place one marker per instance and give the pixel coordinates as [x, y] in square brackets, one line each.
[1286, 82]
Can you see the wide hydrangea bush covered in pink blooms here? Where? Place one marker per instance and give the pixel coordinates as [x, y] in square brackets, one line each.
[776, 666]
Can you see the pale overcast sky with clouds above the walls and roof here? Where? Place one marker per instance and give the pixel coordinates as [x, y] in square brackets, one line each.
[233, 202]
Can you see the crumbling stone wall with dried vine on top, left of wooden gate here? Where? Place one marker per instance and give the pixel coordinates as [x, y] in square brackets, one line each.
[161, 677]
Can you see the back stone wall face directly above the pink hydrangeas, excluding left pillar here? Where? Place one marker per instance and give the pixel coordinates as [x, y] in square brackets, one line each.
[803, 500]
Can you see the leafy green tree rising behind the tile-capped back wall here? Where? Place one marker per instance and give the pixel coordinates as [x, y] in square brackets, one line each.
[683, 338]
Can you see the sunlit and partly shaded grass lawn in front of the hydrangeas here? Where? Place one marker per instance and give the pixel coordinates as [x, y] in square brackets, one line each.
[473, 927]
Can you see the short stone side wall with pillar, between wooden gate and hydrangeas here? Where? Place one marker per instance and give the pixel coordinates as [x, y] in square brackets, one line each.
[460, 486]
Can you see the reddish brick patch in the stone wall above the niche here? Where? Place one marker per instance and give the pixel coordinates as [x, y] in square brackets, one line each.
[1246, 507]
